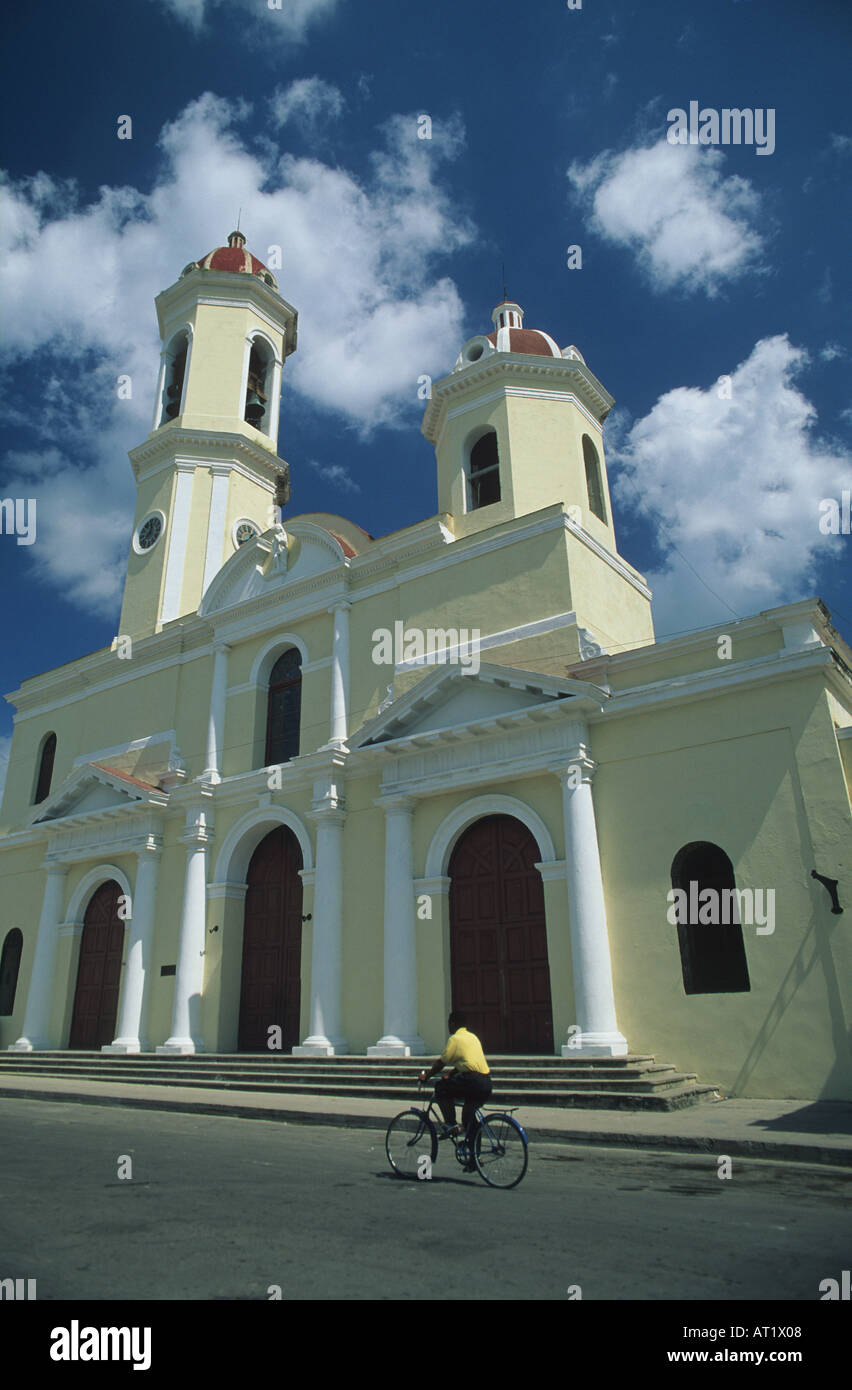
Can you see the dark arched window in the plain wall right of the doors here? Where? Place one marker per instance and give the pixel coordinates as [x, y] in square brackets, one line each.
[710, 932]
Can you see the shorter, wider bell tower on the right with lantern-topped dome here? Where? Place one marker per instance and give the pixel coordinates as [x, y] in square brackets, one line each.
[518, 429]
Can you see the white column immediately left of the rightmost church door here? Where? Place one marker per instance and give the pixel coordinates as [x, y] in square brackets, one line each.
[401, 1036]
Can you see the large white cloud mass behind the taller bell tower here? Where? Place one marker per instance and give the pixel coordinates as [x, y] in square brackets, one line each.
[79, 283]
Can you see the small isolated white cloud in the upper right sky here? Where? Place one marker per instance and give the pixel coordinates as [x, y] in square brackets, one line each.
[690, 227]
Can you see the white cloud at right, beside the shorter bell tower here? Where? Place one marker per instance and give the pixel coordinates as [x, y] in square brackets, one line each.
[736, 484]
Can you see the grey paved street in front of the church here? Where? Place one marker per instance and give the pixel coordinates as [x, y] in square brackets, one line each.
[224, 1209]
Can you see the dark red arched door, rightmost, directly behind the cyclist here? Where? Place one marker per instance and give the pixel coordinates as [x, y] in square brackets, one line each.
[498, 940]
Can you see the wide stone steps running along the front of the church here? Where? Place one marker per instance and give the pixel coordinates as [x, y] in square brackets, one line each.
[623, 1084]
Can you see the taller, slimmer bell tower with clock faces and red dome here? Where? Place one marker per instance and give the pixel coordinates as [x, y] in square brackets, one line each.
[209, 473]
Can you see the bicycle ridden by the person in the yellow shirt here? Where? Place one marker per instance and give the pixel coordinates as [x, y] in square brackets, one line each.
[500, 1145]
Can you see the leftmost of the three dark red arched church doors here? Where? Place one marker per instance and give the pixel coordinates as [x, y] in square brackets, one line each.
[99, 971]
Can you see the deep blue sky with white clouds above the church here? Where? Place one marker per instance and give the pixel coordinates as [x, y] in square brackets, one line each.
[550, 130]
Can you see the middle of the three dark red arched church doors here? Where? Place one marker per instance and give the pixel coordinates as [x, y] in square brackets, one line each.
[272, 979]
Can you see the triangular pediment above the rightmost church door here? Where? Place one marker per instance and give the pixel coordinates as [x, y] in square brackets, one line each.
[452, 698]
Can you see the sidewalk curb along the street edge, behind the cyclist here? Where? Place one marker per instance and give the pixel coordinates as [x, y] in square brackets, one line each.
[782, 1152]
